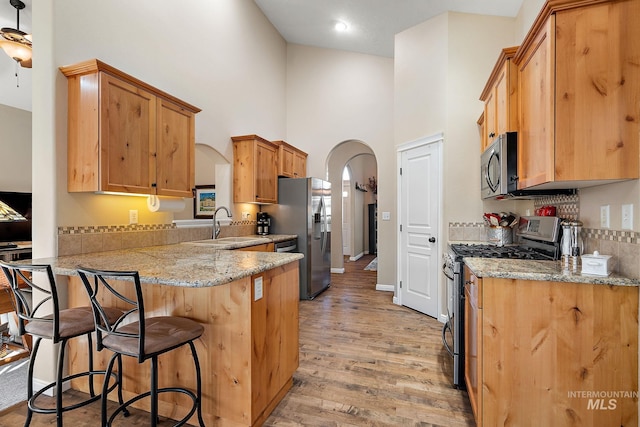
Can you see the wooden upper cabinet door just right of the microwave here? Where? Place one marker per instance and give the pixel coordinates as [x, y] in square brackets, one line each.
[536, 114]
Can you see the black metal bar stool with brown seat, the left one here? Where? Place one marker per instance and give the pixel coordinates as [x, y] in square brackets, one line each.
[44, 319]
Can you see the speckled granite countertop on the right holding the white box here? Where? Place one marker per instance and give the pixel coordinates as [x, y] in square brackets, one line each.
[539, 270]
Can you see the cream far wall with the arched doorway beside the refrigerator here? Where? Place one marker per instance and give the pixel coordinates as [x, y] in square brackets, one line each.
[333, 97]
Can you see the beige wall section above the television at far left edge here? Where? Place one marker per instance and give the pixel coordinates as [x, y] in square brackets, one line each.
[15, 149]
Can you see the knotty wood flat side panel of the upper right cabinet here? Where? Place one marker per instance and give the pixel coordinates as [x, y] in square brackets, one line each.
[597, 92]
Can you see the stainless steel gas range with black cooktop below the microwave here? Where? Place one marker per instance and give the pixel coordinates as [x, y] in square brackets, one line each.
[538, 239]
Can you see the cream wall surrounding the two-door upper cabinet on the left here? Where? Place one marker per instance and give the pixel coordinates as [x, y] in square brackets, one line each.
[223, 56]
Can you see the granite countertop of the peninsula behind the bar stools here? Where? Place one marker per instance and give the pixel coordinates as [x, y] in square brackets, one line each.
[176, 265]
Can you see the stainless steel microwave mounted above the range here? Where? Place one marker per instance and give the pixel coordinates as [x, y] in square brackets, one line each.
[499, 167]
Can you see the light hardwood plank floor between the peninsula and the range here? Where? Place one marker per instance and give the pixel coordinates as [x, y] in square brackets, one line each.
[364, 361]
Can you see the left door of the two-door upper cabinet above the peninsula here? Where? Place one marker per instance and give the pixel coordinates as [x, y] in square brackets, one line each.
[127, 137]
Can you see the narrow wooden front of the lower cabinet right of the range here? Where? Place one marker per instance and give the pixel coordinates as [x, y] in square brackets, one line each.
[473, 342]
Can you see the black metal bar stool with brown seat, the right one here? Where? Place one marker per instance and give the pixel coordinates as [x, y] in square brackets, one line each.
[136, 336]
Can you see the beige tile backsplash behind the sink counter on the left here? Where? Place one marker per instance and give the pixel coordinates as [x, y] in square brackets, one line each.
[87, 239]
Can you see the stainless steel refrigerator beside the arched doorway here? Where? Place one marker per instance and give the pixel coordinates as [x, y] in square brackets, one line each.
[304, 208]
